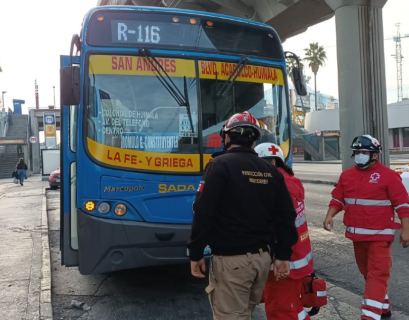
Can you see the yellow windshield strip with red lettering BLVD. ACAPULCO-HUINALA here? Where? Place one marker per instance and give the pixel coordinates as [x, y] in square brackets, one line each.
[250, 73]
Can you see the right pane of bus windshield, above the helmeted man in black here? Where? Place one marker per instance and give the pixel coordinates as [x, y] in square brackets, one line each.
[258, 89]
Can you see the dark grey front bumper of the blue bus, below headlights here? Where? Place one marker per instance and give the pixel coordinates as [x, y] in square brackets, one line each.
[107, 245]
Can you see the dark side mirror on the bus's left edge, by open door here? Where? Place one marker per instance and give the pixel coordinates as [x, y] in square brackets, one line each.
[70, 85]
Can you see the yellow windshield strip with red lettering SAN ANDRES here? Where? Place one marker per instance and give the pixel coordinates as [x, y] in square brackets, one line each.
[128, 65]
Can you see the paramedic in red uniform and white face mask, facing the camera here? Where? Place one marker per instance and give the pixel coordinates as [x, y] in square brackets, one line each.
[370, 193]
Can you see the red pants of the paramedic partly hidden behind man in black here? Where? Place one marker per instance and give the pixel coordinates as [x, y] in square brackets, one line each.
[283, 299]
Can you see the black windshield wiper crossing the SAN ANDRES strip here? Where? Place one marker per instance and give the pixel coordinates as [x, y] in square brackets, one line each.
[170, 86]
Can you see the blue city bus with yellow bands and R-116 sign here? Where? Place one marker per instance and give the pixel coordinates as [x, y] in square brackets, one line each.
[143, 100]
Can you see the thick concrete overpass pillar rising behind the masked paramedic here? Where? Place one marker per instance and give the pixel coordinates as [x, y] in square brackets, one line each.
[361, 73]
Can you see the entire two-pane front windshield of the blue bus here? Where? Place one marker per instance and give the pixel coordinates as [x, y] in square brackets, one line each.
[134, 122]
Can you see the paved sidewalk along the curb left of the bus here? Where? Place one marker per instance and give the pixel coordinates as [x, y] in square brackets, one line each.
[25, 275]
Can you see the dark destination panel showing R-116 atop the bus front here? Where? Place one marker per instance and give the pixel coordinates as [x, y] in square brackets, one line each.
[130, 29]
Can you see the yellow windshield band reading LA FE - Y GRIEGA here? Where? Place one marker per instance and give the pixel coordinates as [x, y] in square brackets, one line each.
[141, 160]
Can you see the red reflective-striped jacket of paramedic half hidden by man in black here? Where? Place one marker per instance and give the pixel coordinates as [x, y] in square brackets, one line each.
[301, 262]
